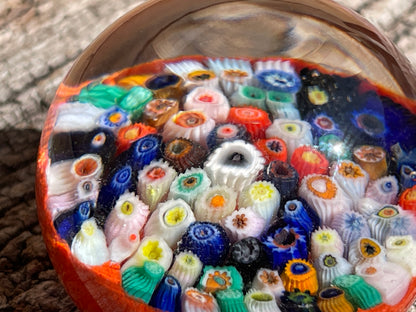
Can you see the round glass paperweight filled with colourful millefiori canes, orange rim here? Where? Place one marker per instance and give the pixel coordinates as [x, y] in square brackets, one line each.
[218, 155]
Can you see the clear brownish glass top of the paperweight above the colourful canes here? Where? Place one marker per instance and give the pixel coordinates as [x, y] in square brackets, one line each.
[321, 32]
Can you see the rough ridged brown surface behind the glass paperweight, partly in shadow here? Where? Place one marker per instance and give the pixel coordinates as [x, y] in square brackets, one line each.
[39, 39]
